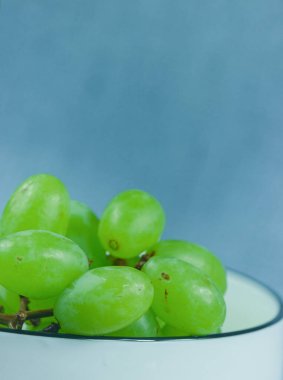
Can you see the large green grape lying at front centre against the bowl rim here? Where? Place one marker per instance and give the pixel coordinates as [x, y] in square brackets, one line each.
[104, 300]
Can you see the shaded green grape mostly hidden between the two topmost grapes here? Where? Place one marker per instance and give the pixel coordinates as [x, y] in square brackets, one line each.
[82, 229]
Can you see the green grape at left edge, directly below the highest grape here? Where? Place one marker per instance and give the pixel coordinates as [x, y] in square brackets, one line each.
[39, 264]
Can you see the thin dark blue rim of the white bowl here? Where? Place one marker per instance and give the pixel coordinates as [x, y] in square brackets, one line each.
[273, 321]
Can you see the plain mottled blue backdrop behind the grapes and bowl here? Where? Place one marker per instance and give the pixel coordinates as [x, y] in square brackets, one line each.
[180, 98]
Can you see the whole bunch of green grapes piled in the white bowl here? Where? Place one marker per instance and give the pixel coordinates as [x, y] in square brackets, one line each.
[62, 269]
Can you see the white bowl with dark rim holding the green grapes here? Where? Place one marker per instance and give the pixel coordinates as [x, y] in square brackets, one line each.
[250, 348]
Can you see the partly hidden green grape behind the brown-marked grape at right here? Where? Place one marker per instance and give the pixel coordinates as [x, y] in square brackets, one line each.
[196, 255]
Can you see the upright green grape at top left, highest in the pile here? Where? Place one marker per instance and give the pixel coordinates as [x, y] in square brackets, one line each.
[40, 203]
